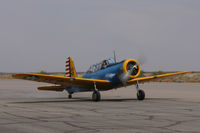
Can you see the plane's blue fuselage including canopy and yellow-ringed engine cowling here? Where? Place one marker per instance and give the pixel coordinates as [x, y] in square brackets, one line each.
[118, 74]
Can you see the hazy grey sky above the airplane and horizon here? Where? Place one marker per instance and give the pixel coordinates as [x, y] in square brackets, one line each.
[38, 35]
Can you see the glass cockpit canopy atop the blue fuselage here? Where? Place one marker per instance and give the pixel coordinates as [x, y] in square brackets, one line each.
[102, 65]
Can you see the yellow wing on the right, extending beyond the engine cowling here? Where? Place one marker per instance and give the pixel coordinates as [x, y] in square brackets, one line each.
[150, 78]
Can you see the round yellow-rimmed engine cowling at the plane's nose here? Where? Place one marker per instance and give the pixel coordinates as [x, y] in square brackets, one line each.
[131, 68]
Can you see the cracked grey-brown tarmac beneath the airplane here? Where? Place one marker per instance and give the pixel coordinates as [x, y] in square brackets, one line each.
[168, 107]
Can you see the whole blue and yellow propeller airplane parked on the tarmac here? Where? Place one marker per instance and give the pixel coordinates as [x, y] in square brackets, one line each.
[103, 76]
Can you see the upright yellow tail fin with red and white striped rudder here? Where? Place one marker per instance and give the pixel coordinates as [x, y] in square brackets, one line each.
[70, 68]
